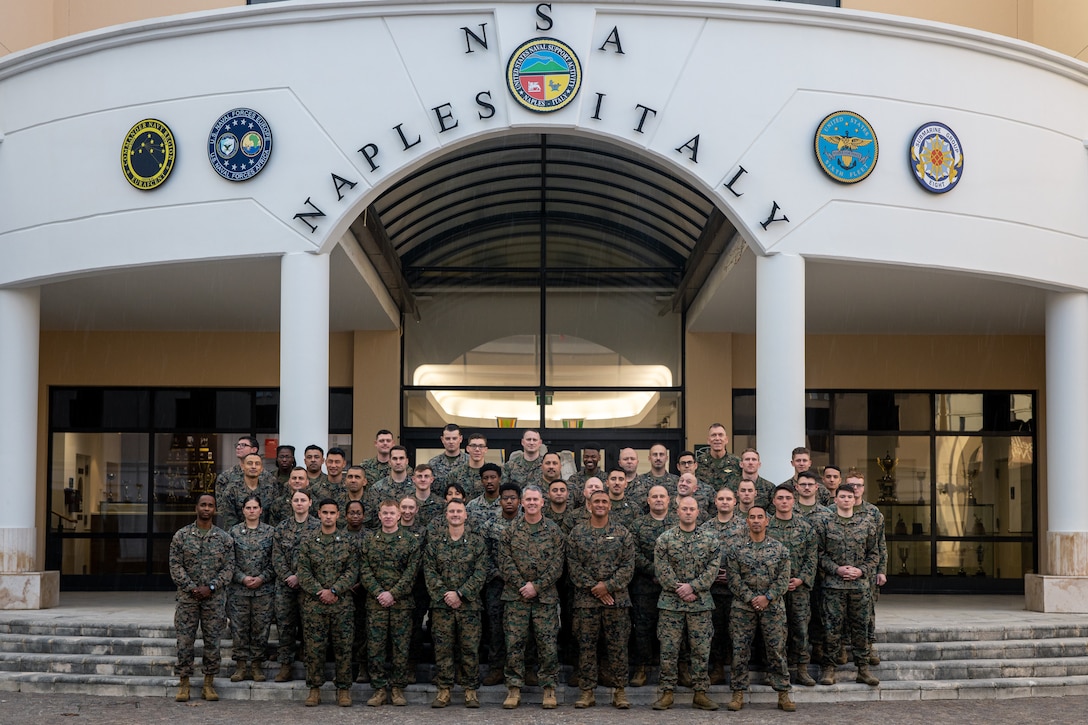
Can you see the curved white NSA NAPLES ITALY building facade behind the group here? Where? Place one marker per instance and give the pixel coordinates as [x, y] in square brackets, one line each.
[619, 224]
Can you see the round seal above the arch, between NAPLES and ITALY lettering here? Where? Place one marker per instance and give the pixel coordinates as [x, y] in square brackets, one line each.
[545, 76]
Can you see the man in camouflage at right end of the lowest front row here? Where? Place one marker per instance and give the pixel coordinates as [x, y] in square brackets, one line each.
[759, 575]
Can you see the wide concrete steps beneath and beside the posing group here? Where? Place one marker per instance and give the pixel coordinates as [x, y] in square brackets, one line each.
[986, 661]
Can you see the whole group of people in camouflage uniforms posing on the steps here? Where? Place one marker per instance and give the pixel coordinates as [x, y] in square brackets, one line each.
[691, 570]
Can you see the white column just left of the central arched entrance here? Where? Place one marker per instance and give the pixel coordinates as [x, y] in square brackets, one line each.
[304, 351]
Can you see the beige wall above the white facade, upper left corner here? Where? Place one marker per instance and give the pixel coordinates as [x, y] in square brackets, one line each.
[26, 23]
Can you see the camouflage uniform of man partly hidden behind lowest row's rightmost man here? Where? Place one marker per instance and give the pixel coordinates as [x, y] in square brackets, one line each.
[799, 538]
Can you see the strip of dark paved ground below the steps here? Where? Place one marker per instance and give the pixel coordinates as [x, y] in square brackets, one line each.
[17, 708]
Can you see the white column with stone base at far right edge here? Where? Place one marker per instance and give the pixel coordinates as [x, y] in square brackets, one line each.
[1066, 586]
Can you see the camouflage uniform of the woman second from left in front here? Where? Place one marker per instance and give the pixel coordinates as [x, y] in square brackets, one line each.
[252, 608]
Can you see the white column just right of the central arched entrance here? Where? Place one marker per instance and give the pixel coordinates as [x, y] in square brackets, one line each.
[780, 362]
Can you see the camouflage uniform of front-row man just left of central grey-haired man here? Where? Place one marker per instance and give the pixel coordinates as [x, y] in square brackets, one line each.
[461, 567]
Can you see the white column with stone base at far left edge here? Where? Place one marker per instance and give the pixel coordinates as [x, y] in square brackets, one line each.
[21, 586]
